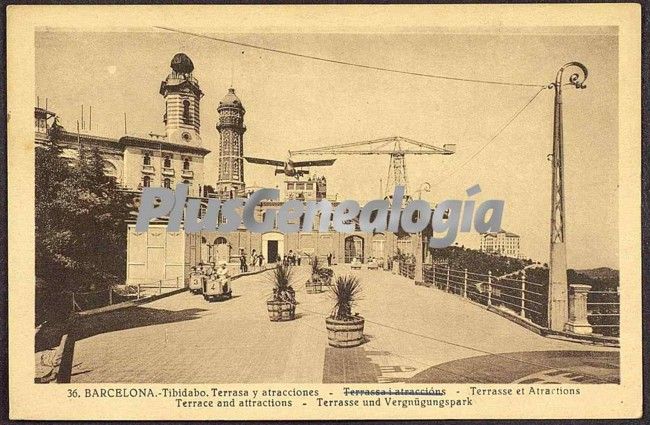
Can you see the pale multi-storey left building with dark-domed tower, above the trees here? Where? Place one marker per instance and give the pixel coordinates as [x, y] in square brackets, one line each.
[157, 160]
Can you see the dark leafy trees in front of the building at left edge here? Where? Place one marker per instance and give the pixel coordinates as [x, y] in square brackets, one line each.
[80, 225]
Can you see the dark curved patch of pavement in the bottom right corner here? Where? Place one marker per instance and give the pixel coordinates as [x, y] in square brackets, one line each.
[534, 367]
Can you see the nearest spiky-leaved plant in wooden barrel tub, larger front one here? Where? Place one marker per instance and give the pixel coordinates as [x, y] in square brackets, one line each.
[345, 329]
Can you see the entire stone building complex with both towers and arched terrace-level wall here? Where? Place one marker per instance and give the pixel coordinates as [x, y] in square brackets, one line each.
[178, 156]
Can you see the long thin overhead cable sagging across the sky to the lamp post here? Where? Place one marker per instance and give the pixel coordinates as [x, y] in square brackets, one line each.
[353, 64]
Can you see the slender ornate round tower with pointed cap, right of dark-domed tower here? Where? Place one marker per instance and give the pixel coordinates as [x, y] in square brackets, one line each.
[231, 145]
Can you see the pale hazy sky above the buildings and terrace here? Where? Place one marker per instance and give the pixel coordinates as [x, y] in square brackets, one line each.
[295, 103]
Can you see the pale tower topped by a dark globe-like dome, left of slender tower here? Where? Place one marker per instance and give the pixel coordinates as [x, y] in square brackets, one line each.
[182, 98]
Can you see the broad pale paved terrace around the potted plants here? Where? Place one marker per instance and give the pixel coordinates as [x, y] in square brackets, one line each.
[415, 334]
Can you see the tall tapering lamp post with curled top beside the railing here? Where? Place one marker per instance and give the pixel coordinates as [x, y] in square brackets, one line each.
[557, 286]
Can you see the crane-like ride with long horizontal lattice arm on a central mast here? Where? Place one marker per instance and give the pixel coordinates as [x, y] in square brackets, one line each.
[396, 147]
